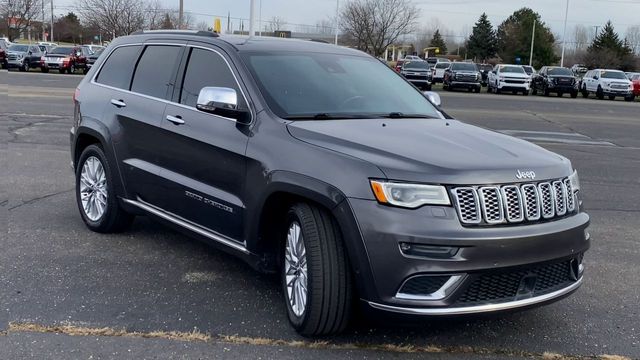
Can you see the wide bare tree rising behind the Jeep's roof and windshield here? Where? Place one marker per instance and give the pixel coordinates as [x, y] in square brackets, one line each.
[376, 24]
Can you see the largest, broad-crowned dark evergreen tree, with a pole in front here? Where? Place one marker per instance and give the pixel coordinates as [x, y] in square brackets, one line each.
[514, 39]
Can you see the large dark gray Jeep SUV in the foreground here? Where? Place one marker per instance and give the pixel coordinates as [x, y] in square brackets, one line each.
[322, 164]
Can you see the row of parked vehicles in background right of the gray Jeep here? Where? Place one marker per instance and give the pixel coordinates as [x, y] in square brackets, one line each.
[507, 78]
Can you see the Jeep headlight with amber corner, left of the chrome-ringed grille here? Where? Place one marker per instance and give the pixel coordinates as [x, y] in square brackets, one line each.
[409, 195]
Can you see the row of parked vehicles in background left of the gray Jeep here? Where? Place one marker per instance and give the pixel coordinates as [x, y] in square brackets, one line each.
[48, 56]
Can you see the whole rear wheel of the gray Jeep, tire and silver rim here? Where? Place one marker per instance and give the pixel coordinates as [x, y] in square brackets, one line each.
[112, 218]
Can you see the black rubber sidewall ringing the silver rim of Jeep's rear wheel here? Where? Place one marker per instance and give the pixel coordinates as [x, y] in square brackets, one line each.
[102, 224]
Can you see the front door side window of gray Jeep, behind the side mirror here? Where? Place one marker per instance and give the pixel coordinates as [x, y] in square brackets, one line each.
[206, 68]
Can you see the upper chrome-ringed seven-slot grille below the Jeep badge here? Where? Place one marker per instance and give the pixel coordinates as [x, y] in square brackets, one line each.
[514, 203]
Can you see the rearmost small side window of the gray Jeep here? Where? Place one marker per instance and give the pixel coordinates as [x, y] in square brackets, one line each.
[118, 68]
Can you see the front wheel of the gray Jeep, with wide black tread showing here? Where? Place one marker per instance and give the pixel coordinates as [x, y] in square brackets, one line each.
[328, 304]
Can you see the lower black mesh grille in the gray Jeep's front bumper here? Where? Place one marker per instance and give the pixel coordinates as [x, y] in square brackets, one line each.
[519, 283]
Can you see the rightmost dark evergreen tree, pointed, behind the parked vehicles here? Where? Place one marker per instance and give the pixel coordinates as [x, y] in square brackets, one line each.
[608, 51]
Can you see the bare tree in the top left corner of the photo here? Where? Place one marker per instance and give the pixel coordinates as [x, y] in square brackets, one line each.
[19, 14]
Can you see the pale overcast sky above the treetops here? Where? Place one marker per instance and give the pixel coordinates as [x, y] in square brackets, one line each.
[458, 15]
